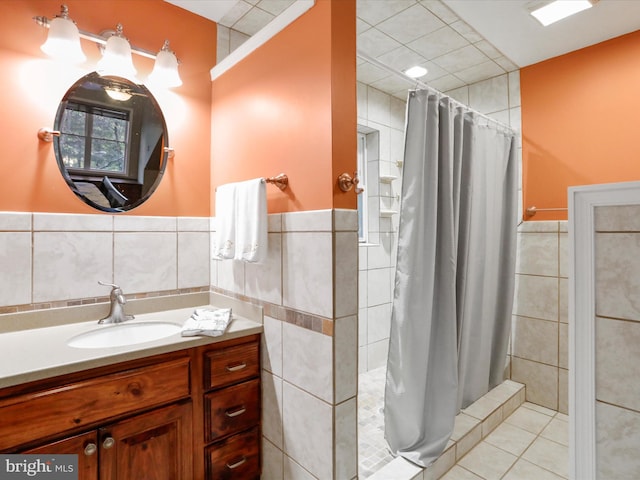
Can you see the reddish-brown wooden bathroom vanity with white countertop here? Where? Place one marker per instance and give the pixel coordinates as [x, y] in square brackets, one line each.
[177, 408]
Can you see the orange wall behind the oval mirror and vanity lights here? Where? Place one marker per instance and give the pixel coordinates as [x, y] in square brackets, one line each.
[33, 85]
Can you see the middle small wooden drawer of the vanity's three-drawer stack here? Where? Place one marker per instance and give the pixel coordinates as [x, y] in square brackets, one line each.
[232, 409]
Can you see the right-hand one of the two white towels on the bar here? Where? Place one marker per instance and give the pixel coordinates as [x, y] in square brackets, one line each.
[251, 220]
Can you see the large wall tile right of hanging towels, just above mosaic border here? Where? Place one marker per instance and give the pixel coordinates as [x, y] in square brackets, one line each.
[307, 274]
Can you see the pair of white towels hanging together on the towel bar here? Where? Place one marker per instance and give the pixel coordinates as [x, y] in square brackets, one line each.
[241, 216]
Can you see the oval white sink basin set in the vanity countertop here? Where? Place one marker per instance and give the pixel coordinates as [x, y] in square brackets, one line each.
[124, 334]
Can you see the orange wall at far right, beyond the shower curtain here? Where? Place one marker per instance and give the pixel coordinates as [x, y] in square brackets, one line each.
[579, 122]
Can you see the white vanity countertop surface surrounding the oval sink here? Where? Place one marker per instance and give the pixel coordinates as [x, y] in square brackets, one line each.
[38, 353]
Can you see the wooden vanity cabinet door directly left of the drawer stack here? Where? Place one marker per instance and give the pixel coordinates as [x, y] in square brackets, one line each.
[151, 446]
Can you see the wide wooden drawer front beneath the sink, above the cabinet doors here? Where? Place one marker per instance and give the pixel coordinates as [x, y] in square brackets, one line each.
[53, 411]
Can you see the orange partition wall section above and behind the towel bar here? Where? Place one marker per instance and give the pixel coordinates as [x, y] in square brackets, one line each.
[290, 107]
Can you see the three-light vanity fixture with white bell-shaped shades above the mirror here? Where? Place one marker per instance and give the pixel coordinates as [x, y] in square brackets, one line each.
[63, 42]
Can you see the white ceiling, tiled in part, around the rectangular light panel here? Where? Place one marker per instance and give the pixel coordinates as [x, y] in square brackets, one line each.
[459, 41]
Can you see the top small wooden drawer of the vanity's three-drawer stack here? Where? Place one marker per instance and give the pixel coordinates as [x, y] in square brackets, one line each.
[231, 365]
